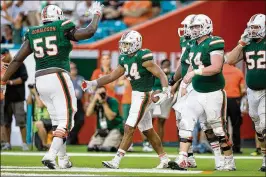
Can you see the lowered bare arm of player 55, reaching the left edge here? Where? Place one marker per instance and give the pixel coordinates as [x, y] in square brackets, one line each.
[22, 54]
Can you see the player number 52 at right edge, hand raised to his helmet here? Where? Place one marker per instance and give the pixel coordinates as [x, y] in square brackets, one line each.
[251, 48]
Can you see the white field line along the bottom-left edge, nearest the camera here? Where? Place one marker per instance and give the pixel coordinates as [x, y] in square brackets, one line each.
[50, 174]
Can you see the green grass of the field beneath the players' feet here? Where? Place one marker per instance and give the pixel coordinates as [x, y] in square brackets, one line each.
[244, 167]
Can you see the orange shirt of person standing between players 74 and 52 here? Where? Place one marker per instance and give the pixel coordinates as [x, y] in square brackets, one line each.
[233, 79]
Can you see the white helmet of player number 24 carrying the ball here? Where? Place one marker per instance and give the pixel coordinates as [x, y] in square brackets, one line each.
[130, 42]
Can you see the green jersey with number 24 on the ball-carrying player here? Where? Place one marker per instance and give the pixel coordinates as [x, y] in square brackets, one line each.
[140, 78]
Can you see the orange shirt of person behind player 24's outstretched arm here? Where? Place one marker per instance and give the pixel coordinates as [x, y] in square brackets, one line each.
[110, 88]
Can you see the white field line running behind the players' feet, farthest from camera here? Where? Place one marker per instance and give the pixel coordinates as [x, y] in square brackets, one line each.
[76, 154]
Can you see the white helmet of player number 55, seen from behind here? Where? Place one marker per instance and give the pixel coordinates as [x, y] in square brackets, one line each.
[52, 13]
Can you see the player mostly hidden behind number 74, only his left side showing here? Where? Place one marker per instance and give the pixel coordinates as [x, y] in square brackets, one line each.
[181, 71]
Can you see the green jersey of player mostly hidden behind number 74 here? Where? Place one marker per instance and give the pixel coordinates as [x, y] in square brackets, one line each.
[185, 63]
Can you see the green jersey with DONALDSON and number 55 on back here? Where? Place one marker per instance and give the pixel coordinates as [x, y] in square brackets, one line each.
[49, 44]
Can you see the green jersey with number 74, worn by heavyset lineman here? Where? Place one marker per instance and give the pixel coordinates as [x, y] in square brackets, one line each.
[200, 57]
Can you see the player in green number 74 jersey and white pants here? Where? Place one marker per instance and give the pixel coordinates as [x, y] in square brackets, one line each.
[207, 97]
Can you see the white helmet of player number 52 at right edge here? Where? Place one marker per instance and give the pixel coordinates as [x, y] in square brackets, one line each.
[256, 26]
